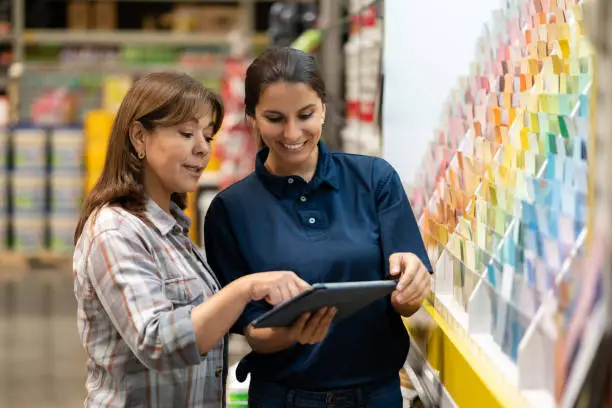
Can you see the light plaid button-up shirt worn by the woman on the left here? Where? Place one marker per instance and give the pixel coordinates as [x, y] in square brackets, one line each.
[135, 286]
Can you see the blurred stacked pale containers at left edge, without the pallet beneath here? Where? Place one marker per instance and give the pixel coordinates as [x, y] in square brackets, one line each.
[46, 187]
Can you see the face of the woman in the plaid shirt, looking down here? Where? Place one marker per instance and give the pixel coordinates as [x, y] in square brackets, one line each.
[174, 157]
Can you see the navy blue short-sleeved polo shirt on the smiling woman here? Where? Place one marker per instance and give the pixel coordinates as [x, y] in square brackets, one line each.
[341, 226]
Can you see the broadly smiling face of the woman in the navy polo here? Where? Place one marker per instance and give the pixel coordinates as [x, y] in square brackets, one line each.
[289, 118]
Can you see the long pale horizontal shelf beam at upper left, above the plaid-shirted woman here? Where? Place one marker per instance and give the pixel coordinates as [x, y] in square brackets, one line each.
[124, 37]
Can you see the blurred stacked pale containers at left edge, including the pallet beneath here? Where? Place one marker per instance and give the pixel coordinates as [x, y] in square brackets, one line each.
[45, 180]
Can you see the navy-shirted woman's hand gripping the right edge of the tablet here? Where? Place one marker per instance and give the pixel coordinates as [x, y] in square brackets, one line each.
[414, 282]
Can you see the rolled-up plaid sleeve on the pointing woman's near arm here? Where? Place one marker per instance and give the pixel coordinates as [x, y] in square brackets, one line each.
[127, 283]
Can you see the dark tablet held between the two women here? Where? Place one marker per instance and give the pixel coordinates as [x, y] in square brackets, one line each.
[346, 297]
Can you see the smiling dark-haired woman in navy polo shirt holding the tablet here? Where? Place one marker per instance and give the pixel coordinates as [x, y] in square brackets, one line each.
[330, 217]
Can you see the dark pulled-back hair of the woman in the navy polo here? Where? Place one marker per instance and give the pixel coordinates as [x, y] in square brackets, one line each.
[281, 64]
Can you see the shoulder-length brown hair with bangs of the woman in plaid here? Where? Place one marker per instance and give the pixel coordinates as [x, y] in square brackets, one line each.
[156, 100]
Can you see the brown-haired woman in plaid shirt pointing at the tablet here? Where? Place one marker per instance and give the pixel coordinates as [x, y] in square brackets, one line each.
[151, 314]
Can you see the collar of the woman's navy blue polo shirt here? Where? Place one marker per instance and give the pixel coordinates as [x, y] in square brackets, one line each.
[326, 173]
